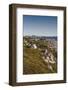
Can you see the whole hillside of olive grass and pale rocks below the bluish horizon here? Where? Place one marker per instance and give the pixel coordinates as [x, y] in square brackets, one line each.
[35, 60]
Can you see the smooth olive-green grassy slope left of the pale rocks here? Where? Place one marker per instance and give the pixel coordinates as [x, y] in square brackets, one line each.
[33, 63]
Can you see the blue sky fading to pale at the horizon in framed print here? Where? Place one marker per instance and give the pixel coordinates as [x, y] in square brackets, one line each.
[40, 25]
